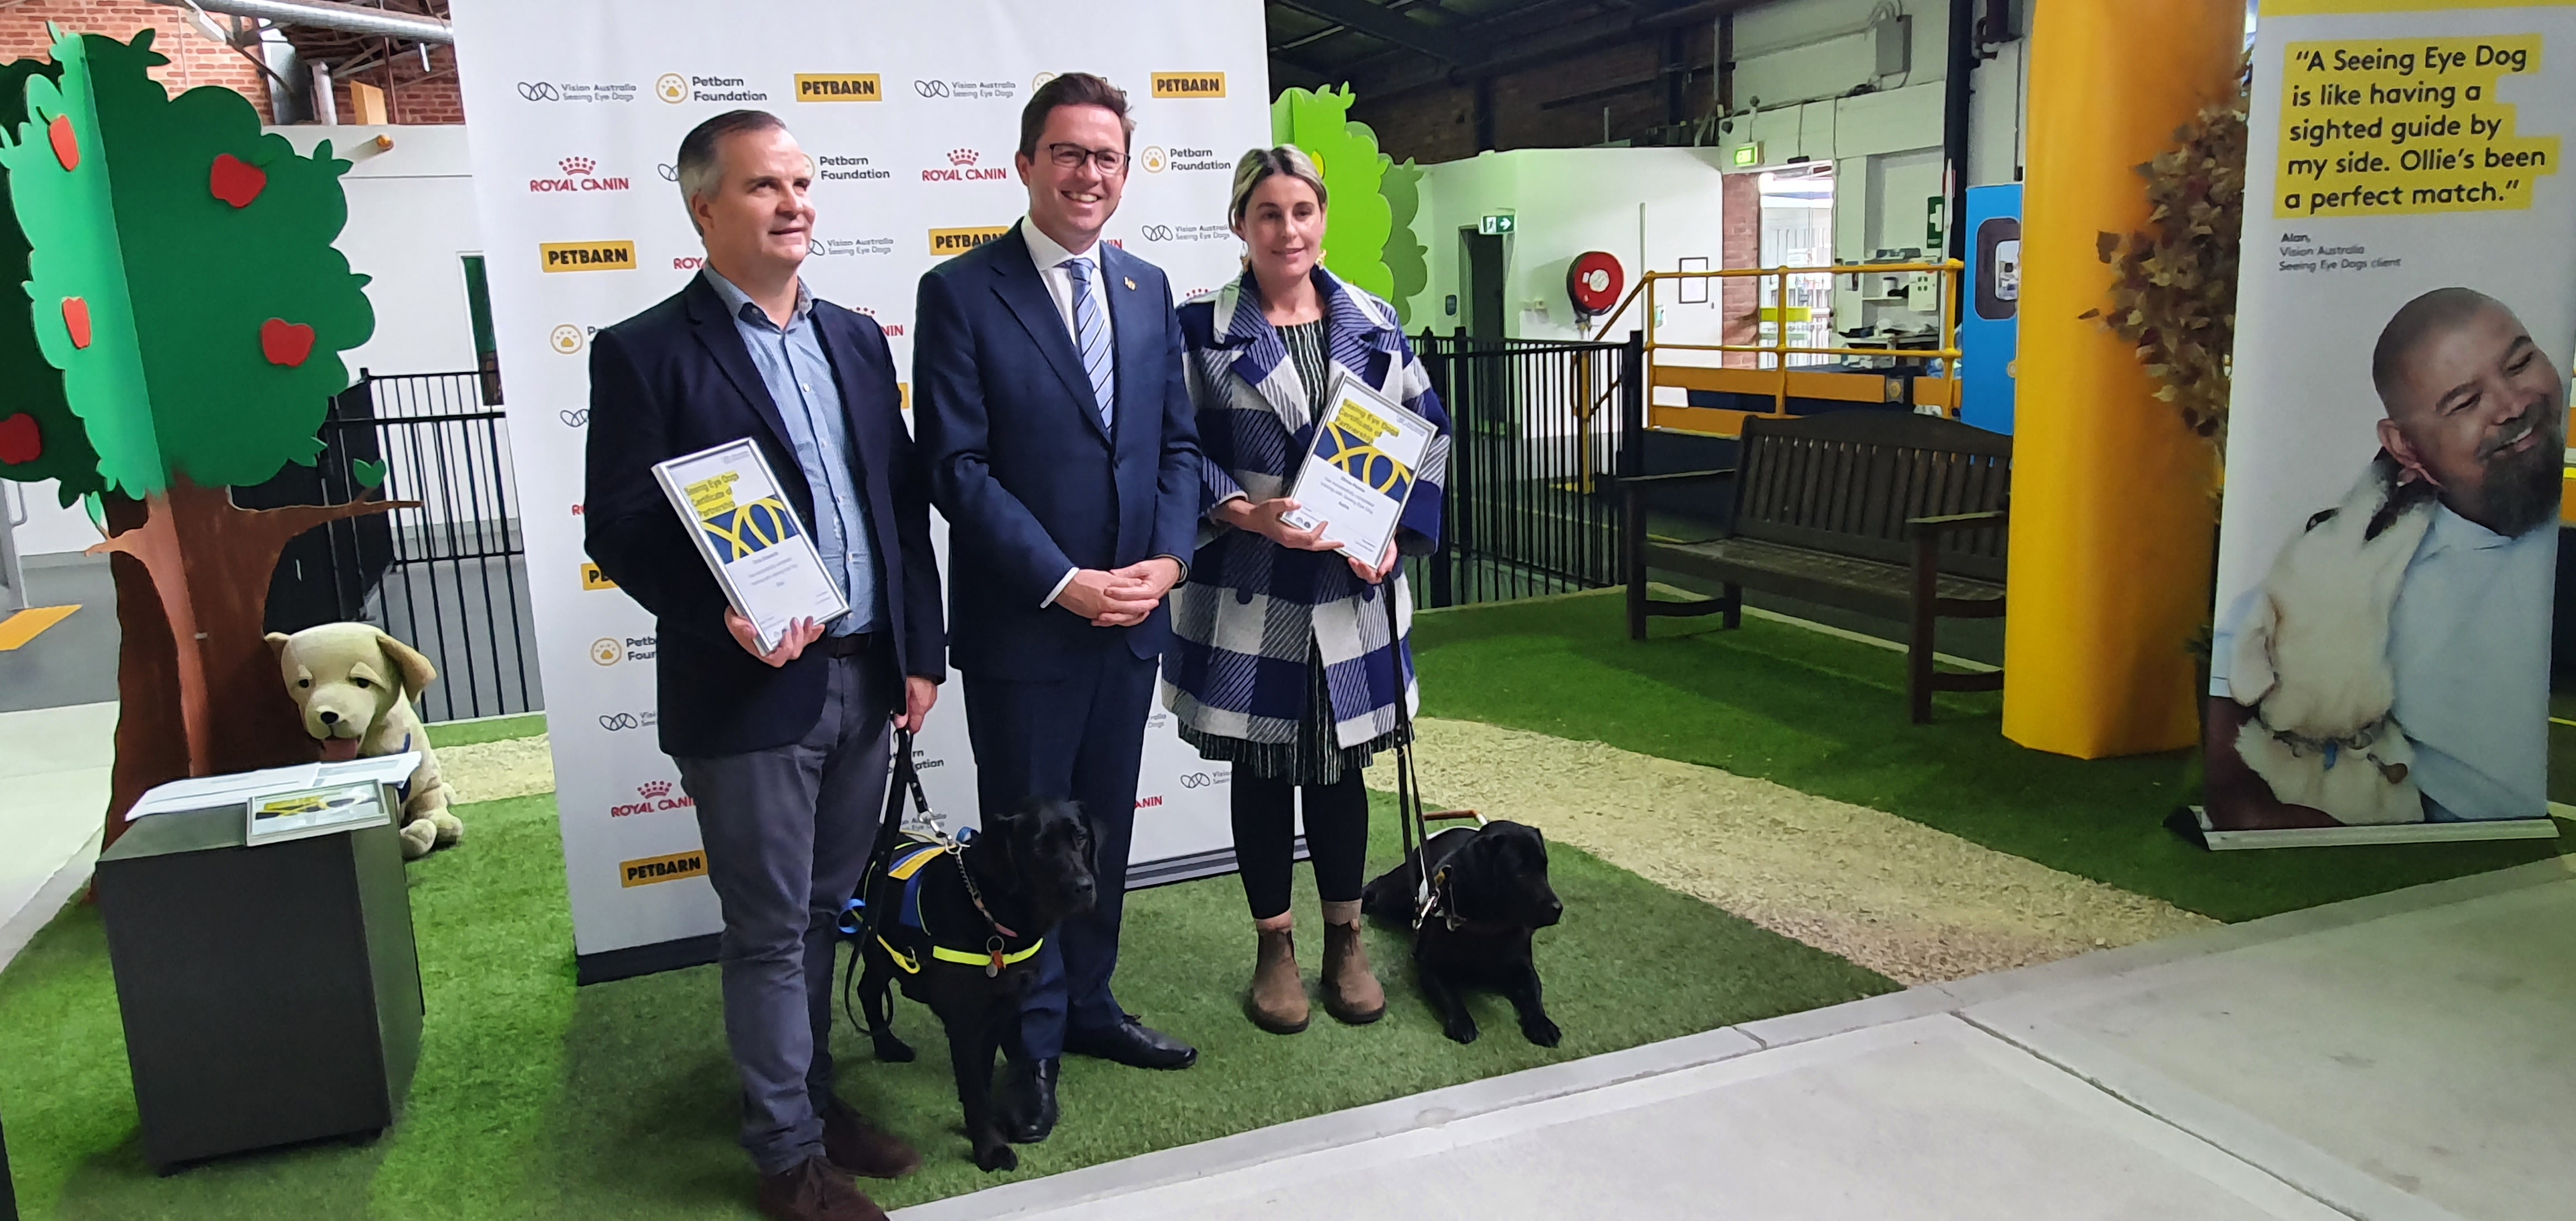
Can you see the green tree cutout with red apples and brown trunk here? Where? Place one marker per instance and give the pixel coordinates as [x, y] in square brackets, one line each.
[192, 313]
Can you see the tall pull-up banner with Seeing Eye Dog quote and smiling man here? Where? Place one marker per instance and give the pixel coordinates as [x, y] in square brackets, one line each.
[2397, 431]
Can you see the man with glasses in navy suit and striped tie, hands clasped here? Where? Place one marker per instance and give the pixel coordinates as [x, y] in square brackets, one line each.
[1063, 450]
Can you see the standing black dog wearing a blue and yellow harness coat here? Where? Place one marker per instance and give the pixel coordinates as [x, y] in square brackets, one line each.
[962, 931]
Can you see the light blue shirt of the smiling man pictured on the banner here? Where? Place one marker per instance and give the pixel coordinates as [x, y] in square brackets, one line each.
[2469, 643]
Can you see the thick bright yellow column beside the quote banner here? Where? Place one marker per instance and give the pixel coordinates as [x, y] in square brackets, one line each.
[2111, 516]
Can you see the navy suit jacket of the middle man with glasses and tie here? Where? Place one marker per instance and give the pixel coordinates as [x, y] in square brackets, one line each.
[1021, 468]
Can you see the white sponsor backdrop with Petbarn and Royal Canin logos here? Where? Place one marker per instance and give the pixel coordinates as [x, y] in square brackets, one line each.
[913, 115]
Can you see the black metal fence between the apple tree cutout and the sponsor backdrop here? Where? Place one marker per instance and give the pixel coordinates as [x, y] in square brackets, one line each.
[447, 576]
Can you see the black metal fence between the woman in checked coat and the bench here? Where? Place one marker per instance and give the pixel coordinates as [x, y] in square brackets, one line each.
[1531, 504]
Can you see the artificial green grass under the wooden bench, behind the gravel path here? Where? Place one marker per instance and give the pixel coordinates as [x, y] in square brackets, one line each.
[1828, 717]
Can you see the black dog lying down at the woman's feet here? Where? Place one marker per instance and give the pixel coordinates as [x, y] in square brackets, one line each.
[1490, 893]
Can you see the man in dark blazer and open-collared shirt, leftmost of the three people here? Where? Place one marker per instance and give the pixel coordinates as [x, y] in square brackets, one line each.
[784, 751]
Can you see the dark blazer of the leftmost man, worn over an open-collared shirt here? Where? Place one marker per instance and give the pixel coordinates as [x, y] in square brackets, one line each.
[676, 380]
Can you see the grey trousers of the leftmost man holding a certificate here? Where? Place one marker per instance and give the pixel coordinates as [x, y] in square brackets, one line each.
[787, 836]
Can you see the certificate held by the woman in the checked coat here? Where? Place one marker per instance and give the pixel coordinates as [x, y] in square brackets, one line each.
[1361, 470]
